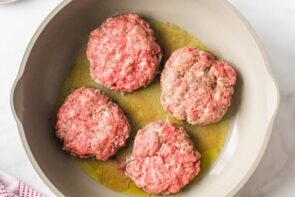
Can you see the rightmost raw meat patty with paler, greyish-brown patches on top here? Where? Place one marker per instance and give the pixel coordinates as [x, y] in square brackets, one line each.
[196, 87]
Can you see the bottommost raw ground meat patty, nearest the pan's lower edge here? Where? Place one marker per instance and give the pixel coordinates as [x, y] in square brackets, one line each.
[163, 159]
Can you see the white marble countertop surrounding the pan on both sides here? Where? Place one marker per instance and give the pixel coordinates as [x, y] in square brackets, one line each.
[274, 22]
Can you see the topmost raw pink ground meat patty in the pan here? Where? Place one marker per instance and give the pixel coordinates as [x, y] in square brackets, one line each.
[123, 53]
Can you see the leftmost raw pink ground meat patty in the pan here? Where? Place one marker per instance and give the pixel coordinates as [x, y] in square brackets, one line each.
[90, 124]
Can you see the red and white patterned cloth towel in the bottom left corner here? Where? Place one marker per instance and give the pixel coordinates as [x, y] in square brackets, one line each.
[12, 187]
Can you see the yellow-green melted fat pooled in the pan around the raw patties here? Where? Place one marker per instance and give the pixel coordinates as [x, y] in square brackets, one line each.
[141, 107]
